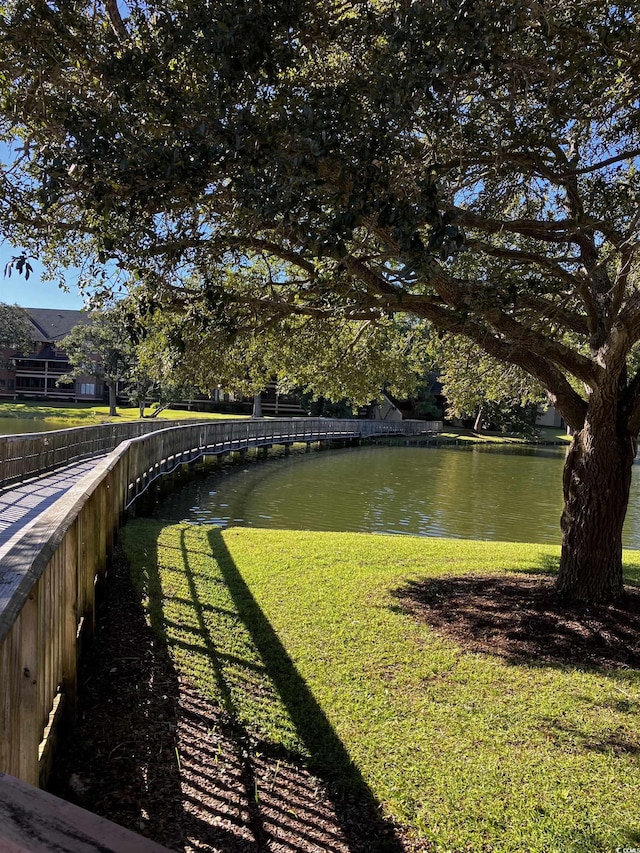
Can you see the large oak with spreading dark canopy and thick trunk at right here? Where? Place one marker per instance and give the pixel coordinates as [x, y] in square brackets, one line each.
[469, 164]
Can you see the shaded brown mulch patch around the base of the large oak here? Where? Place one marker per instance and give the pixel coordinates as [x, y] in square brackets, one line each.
[520, 617]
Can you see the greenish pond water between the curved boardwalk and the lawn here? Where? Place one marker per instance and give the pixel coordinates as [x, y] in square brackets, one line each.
[470, 493]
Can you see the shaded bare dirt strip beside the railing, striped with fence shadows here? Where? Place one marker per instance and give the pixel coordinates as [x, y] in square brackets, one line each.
[152, 753]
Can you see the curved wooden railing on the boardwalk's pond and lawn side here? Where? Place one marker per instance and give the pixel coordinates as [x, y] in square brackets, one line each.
[49, 574]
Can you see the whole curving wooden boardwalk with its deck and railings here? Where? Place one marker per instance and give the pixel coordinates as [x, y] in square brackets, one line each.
[56, 535]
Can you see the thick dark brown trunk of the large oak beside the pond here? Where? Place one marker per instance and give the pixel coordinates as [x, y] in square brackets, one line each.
[596, 481]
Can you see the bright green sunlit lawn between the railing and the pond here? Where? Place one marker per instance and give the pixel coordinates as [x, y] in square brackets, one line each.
[300, 637]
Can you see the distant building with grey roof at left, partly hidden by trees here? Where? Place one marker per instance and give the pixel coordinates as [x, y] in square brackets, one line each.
[35, 374]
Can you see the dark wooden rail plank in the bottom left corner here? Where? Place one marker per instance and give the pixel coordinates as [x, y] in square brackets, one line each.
[33, 821]
